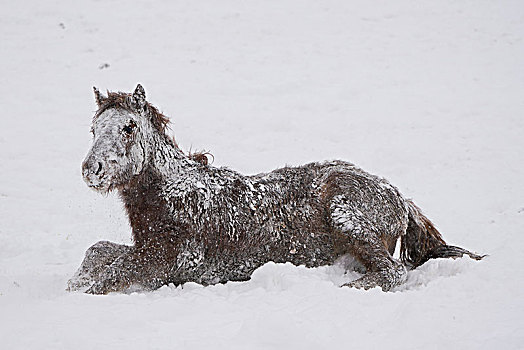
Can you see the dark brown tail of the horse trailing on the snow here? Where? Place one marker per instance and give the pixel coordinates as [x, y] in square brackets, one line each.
[422, 241]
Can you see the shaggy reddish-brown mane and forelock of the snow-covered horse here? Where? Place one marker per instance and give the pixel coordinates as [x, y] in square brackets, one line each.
[159, 120]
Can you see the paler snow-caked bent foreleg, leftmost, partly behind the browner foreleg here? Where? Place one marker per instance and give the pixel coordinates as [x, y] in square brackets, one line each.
[97, 258]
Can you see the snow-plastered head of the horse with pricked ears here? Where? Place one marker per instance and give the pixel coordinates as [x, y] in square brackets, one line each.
[123, 131]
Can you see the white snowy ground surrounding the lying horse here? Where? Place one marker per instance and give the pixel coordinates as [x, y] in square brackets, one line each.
[429, 94]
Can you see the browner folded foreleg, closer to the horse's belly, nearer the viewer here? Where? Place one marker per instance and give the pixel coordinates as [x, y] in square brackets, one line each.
[137, 267]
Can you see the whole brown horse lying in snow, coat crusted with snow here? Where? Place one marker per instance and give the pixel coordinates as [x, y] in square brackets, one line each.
[193, 222]
